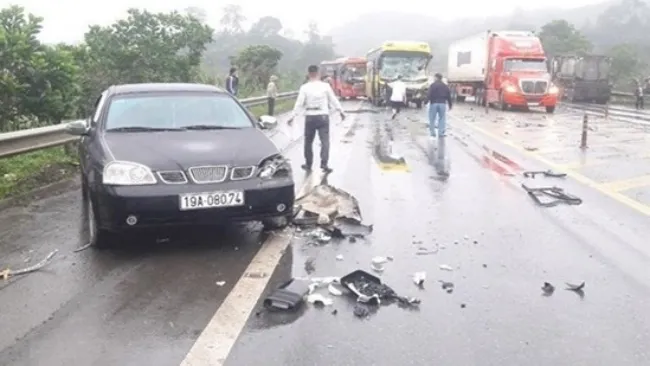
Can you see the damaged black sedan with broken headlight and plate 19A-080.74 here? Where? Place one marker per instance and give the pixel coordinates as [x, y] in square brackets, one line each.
[157, 155]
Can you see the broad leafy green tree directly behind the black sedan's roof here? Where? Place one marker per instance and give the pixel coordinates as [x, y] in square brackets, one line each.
[148, 47]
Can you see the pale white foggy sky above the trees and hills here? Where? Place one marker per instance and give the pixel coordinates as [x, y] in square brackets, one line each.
[67, 20]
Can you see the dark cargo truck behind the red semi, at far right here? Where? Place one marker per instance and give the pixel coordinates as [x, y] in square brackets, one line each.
[582, 78]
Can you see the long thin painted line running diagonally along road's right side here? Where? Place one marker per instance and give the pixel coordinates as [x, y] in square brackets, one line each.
[619, 197]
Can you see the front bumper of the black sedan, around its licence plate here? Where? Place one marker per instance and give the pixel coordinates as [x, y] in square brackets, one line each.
[159, 205]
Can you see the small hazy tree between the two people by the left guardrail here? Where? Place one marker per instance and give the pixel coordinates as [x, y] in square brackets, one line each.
[258, 63]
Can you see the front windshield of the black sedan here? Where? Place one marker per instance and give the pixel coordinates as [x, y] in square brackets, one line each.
[178, 111]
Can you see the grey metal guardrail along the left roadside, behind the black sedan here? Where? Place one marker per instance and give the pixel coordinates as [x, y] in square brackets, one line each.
[24, 141]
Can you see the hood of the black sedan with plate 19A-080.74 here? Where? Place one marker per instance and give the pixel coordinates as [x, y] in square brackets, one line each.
[183, 149]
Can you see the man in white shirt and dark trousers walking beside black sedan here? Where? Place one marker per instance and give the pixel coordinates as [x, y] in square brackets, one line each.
[315, 98]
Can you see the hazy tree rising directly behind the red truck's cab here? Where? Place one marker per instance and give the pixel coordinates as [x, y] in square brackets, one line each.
[561, 37]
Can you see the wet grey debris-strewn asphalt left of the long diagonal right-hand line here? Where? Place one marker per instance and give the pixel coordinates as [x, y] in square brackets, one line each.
[147, 304]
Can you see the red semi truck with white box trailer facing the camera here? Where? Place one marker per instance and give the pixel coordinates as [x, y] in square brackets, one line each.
[505, 69]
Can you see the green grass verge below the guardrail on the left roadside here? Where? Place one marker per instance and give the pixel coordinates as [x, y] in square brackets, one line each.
[23, 173]
